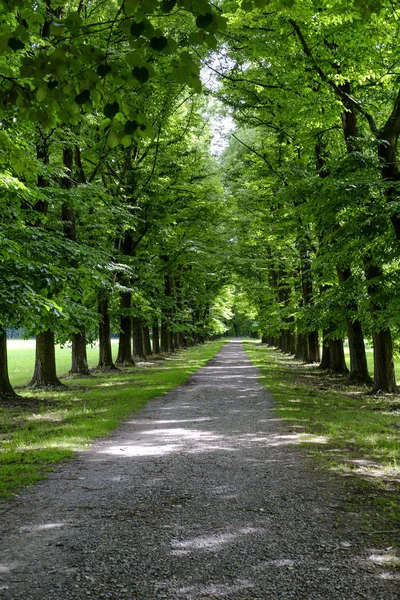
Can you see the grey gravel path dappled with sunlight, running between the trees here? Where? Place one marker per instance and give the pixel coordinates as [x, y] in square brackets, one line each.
[200, 495]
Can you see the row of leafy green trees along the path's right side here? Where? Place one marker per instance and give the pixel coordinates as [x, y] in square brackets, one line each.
[313, 168]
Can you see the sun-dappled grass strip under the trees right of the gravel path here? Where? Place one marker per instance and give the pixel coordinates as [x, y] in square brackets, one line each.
[352, 432]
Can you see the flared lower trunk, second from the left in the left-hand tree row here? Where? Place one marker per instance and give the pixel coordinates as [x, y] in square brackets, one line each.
[45, 374]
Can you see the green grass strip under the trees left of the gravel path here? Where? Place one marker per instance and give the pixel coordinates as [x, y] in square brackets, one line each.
[46, 427]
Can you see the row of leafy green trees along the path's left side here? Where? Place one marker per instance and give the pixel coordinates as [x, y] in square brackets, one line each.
[113, 216]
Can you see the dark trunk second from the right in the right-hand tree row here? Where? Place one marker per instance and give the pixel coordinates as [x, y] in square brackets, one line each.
[358, 358]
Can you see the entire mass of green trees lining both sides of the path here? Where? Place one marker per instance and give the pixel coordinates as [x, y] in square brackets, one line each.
[118, 215]
